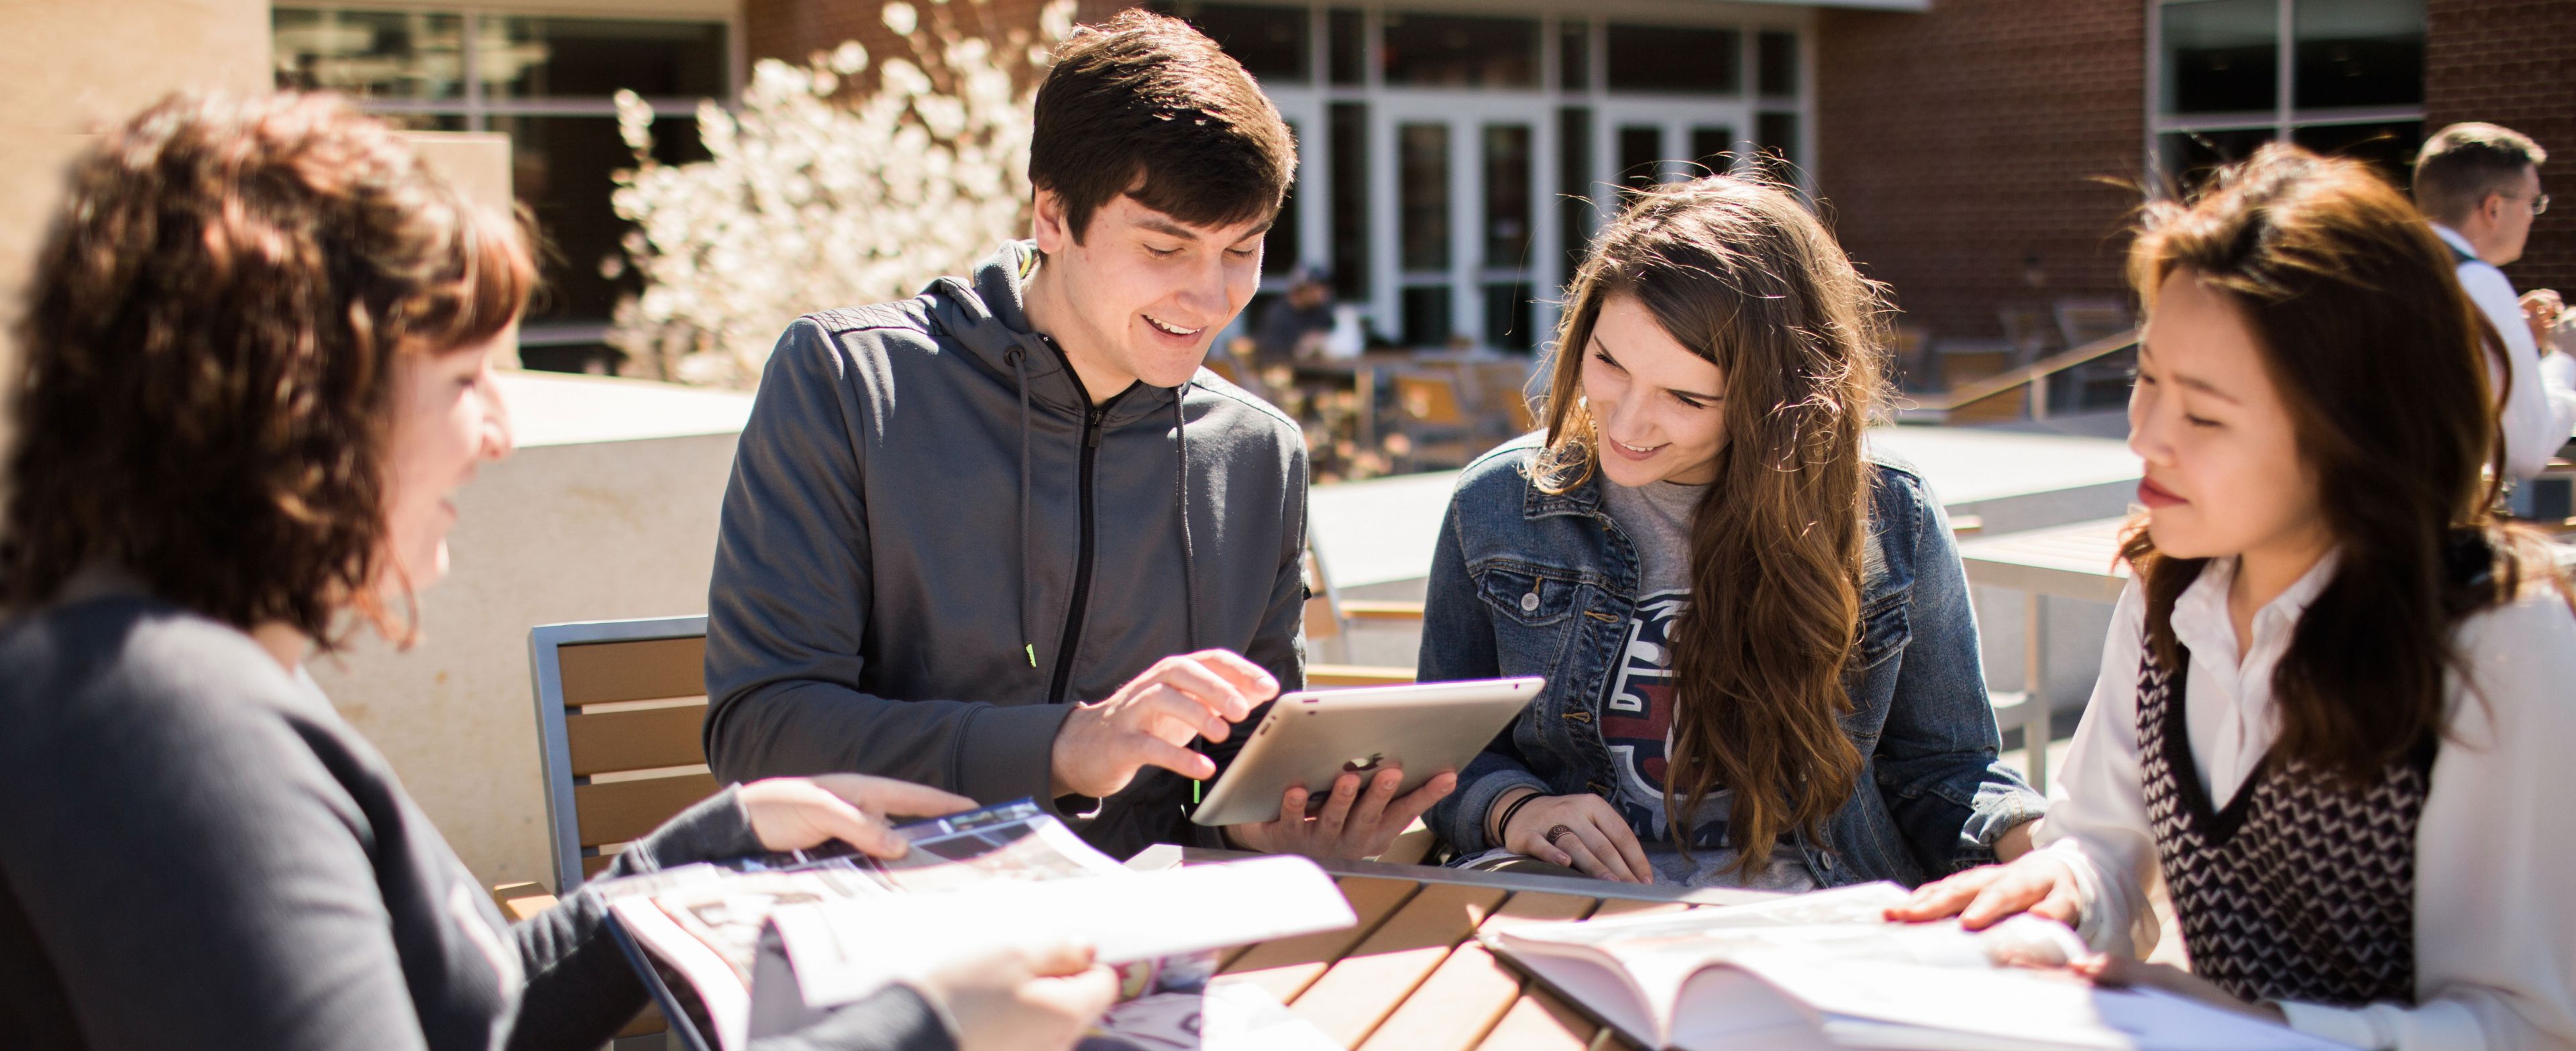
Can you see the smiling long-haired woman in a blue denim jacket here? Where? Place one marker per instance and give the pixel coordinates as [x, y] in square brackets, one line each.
[1743, 617]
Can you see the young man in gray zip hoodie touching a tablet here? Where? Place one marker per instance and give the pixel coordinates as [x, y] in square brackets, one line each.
[1009, 537]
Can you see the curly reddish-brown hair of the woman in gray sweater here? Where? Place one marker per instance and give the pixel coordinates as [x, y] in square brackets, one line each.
[207, 357]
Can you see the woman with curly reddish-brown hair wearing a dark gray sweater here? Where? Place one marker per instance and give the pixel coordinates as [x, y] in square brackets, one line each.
[256, 367]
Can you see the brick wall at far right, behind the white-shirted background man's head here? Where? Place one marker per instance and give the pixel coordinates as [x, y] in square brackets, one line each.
[2513, 63]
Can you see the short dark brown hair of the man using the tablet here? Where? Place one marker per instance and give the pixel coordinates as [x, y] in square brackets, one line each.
[1153, 109]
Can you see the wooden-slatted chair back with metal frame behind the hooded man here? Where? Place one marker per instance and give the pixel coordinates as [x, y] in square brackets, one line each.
[620, 712]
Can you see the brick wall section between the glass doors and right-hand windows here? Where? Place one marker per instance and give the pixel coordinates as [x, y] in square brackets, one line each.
[1964, 143]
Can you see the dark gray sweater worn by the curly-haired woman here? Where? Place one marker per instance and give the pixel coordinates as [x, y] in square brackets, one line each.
[200, 851]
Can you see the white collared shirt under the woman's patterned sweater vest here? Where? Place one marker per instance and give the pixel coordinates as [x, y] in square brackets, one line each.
[2495, 926]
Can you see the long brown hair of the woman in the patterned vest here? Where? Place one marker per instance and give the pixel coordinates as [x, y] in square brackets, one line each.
[2379, 357]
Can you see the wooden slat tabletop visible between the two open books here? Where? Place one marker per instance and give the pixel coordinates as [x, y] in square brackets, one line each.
[1410, 975]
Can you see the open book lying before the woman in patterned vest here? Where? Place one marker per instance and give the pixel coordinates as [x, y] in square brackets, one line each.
[1828, 972]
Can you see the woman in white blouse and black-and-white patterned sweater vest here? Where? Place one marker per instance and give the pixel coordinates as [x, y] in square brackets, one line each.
[2335, 707]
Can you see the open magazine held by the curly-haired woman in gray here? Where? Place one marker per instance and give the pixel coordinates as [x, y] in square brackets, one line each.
[756, 947]
